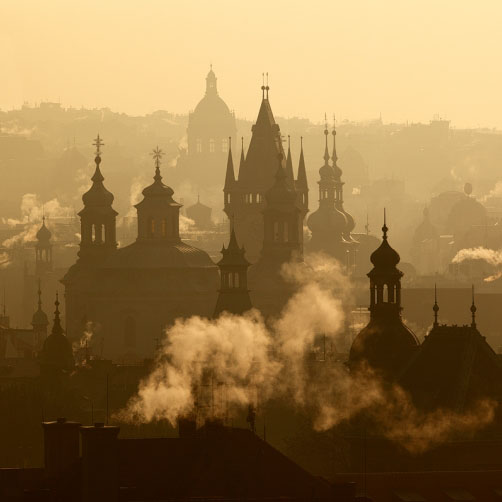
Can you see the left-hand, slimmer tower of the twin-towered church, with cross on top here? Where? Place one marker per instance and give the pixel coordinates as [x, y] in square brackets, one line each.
[98, 238]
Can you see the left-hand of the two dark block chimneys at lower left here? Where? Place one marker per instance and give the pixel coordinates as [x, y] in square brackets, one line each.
[61, 447]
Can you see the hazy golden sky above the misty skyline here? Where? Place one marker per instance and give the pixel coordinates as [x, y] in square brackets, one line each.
[406, 59]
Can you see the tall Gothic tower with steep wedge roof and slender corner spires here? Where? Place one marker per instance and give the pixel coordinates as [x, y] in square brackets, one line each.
[245, 196]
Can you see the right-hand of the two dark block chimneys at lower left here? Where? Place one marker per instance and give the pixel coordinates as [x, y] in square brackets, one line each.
[99, 463]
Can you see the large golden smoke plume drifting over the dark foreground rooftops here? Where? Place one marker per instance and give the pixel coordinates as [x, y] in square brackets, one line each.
[251, 358]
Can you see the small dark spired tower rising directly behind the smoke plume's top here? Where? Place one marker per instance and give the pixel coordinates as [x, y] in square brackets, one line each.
[233, 295]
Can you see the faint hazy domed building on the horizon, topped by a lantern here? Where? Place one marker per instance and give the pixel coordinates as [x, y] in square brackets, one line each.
[209, 127]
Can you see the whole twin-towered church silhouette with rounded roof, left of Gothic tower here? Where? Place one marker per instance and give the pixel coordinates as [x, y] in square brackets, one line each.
[130, 294]
